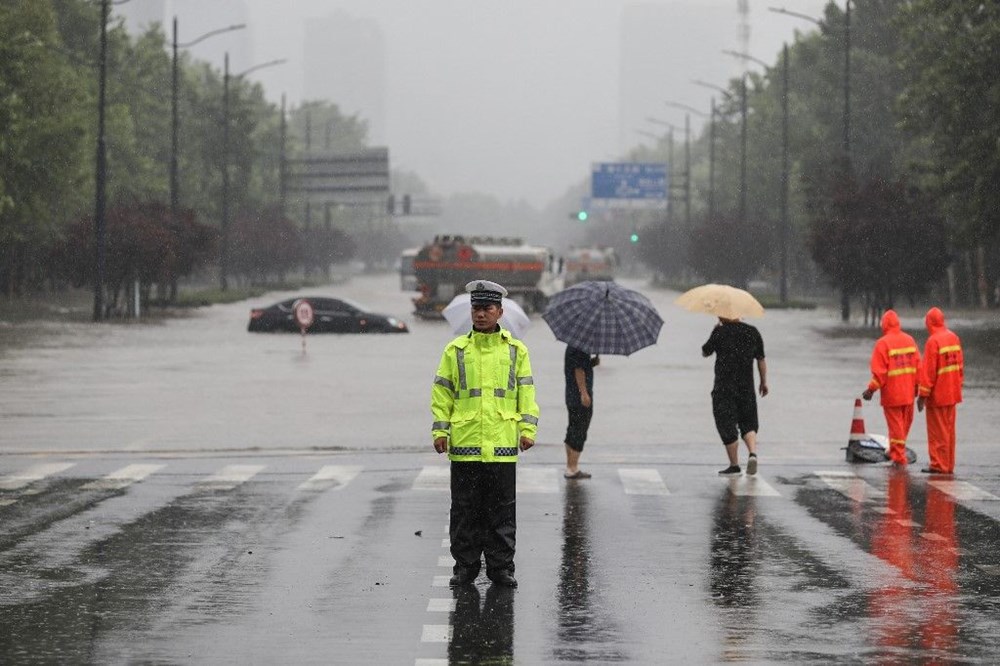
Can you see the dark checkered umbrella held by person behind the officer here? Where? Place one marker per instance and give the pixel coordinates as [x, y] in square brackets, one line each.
[603, 318]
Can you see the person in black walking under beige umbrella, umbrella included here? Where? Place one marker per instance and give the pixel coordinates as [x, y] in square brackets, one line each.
[736, 346]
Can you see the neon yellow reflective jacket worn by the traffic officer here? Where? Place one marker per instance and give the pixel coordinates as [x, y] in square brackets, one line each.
[483, 397]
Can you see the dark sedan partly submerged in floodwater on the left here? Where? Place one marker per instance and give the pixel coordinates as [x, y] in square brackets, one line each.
[329, 315]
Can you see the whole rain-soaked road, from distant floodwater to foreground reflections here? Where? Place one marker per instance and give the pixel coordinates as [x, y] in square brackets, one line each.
[184, 491]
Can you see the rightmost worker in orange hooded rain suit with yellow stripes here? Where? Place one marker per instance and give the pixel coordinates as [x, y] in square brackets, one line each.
[941, 377]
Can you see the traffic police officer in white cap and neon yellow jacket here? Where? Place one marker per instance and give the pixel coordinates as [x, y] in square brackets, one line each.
[484, 409]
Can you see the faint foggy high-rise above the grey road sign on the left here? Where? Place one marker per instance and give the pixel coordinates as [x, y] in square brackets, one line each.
[345, 64]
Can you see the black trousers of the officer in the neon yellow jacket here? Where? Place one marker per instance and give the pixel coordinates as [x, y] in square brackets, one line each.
[483, 516]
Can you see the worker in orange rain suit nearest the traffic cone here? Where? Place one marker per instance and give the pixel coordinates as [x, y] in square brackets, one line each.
[895, 366]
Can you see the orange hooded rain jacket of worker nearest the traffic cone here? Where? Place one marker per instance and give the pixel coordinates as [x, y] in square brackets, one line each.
[895, 364]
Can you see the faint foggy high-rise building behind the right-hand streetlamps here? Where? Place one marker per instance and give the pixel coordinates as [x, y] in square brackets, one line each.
[663, 48]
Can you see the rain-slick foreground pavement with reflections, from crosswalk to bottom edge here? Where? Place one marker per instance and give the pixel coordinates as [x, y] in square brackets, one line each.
[215, 558]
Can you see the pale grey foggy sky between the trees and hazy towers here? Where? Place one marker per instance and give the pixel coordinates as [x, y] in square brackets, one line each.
[515, 98]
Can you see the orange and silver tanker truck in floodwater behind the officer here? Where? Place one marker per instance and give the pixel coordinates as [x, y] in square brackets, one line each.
[444, 266]
